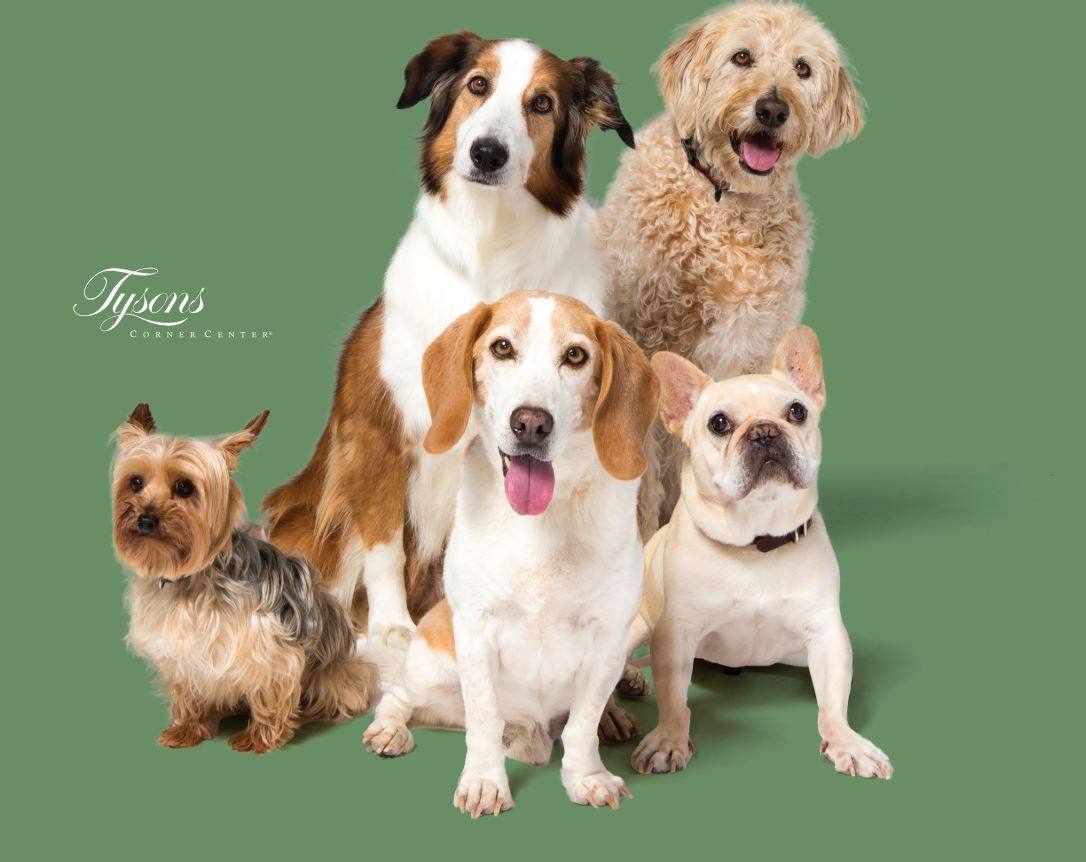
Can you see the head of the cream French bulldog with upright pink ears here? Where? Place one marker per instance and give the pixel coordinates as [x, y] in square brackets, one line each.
[751, 433]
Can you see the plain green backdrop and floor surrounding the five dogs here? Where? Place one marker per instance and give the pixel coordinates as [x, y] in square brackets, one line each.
[255, 151]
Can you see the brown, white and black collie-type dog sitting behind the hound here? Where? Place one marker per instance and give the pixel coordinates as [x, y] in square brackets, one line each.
[501, 211]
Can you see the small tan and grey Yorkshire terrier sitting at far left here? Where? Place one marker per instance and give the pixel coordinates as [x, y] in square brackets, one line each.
[231, 624]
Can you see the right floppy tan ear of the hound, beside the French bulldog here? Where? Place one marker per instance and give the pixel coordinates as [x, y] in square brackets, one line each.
[627, 404]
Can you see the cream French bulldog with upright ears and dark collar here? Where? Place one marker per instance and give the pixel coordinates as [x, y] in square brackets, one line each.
[744, 574]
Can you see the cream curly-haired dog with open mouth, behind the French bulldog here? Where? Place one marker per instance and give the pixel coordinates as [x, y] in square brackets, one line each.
[704, 231]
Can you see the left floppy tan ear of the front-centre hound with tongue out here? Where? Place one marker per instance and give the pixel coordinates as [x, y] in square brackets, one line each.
[449, 379]
